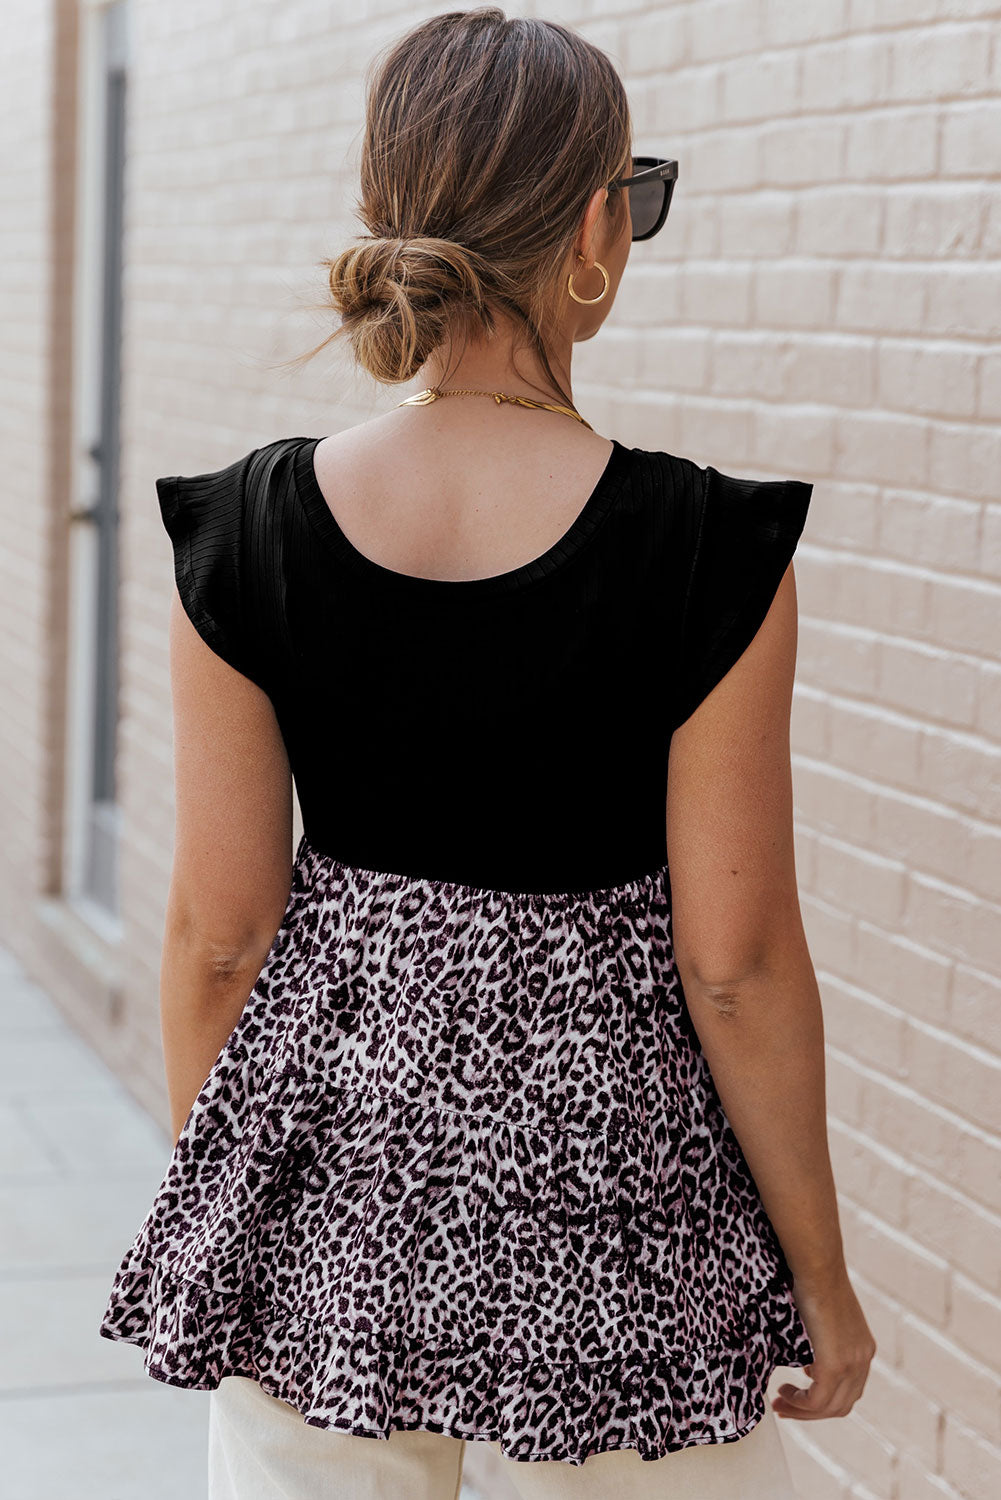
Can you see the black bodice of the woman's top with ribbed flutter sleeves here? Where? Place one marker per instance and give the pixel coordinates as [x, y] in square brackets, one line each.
[508, 733]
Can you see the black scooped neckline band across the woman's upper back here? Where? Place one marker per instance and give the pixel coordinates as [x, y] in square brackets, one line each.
[582, 529]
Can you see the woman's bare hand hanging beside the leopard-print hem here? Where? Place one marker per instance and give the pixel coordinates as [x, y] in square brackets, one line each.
[844, 1349]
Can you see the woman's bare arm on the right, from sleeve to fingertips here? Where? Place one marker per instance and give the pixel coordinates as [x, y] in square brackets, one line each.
[751, 989]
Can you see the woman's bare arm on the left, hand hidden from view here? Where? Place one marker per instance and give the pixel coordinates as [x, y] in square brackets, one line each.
[232, 872]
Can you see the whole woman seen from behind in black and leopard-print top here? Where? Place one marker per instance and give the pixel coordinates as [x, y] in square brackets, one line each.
[500, 1102]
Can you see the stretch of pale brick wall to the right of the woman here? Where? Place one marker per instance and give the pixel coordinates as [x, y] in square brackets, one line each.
[826, 305]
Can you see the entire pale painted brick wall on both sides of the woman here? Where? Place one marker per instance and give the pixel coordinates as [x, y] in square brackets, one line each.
[823, 304]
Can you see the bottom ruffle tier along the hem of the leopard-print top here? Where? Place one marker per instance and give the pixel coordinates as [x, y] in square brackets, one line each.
[356, 1382]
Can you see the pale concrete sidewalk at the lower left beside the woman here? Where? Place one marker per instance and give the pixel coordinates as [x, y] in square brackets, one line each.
[79, 1166]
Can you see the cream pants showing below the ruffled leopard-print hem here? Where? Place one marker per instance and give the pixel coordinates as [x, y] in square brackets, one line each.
[262, 1450]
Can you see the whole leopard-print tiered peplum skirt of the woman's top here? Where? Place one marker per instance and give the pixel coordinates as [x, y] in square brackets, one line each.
[461, 1166]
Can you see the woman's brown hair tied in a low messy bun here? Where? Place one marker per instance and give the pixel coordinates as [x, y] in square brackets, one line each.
[484, 142]
